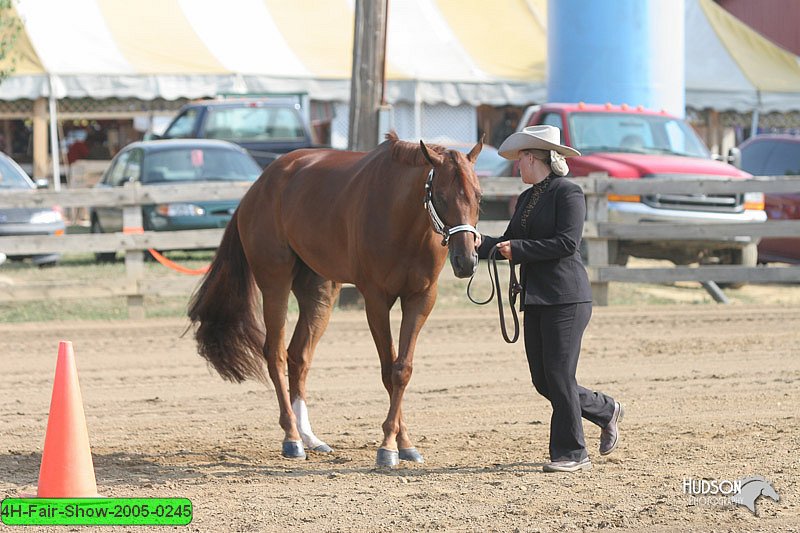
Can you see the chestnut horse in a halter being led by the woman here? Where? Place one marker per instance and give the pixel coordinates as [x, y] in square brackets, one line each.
[318, 218]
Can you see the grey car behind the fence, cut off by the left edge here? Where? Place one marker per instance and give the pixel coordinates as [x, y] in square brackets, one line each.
[25, 221]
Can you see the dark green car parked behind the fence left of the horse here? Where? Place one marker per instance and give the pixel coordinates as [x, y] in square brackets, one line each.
[174, 162]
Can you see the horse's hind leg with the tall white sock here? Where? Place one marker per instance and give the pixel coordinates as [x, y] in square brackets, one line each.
[315, 297]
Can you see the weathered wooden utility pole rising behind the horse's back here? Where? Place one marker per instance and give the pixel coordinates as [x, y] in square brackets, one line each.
[367, 81]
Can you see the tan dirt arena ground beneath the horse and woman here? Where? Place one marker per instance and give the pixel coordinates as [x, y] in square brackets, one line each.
[710, 391]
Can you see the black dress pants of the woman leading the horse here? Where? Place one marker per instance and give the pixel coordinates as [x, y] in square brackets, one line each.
[553, 335]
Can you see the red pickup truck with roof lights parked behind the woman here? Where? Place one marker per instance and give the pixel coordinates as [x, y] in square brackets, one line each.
[634, 143]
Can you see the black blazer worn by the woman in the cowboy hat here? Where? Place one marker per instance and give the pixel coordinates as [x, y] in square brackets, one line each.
[551, 270]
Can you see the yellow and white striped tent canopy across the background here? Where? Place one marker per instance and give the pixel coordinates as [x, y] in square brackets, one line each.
[438, 51]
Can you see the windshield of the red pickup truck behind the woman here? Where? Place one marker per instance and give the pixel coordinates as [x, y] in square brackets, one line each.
[634, 133]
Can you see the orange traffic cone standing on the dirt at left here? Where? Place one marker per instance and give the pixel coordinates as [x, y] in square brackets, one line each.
[67, 470]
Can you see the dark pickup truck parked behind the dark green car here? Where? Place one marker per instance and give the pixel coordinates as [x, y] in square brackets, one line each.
[267, 128]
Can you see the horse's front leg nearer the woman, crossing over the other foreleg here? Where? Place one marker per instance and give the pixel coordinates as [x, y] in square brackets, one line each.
[416, 308]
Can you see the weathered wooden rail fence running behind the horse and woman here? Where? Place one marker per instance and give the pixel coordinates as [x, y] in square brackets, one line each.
[598, 233]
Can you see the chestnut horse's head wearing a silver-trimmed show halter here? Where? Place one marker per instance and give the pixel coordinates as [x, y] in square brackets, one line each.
[453, 197]
